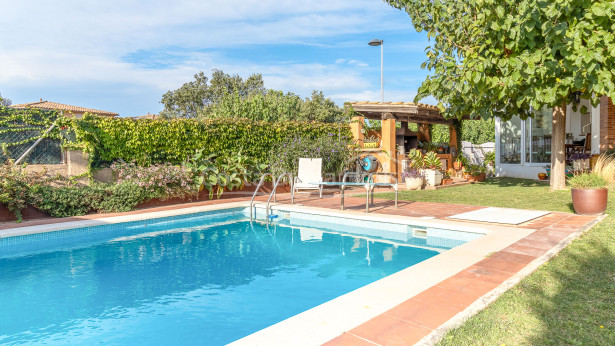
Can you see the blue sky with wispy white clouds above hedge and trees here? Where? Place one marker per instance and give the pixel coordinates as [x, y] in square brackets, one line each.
[122, 55]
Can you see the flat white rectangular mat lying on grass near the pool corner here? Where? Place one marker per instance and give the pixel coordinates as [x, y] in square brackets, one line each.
[500, 215]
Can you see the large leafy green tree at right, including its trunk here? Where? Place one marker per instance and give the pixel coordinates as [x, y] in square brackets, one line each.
[504, 58]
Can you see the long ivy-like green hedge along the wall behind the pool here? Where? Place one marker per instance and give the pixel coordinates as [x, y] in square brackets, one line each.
[147, 141]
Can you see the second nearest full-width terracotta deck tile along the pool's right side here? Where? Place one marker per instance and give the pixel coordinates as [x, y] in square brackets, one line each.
[422, 313]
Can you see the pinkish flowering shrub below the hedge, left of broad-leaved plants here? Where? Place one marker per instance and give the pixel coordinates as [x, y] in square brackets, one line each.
[159, 180]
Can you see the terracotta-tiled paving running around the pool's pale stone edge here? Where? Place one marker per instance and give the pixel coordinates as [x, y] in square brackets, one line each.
[420, 317]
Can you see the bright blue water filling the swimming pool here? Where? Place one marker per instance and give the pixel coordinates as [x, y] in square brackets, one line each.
[211, 278]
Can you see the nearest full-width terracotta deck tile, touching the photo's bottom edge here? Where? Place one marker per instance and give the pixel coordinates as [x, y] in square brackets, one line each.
[388, 330]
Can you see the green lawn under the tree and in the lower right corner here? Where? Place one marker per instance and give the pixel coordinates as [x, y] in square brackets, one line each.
[569, 300]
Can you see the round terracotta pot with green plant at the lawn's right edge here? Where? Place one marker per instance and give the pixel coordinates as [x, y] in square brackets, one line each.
[589, 189]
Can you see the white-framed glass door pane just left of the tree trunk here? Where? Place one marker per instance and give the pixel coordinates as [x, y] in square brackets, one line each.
[538, 132]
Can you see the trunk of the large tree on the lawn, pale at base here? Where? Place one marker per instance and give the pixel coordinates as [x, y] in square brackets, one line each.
[558, 149]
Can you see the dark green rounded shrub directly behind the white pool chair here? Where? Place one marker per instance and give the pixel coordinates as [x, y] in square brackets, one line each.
[336, 154]
